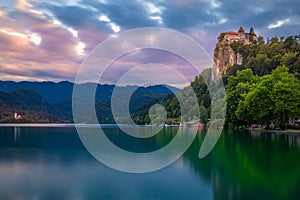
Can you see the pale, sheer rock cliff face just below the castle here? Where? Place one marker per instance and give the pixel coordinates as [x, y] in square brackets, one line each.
[224, 57]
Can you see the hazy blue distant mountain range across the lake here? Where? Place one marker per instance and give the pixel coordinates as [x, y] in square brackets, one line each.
[52, 102]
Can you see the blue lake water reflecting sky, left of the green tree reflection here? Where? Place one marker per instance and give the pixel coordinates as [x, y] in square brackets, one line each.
[51, 163]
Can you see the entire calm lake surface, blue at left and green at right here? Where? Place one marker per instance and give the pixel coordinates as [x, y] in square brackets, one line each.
[40, 163]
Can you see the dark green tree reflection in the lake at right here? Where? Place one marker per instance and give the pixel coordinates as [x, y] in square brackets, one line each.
[247, 166]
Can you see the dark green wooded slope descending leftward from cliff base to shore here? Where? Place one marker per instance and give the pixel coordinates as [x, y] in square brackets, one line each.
[188, 110]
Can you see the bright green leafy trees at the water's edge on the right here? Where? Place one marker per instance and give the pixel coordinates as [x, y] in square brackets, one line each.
[273, 98]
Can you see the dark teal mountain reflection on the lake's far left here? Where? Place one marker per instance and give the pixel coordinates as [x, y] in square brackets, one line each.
[24, 145]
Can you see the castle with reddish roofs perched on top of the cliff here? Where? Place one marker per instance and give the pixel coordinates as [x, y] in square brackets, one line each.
[240, 36]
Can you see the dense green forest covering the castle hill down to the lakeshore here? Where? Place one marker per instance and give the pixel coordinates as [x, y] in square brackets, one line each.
[264, 89]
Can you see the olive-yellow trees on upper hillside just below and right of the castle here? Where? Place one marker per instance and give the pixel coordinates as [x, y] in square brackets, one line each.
[263, 57]
